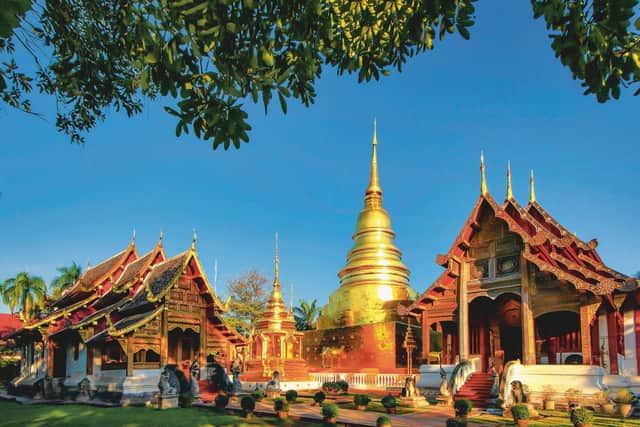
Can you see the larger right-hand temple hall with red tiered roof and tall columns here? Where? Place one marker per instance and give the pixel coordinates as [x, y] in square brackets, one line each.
[517, 285]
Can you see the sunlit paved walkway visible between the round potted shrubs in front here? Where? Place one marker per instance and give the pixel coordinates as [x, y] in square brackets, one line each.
[431, 417]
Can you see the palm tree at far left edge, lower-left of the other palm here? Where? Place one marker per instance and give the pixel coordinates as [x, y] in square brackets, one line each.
[25, 292]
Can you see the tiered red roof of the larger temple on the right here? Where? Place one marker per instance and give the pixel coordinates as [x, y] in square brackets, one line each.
[547, 244]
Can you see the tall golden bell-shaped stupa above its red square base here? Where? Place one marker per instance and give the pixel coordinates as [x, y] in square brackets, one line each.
[374, 280]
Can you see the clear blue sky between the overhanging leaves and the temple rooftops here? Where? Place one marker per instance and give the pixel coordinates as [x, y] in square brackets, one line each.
[304, 174]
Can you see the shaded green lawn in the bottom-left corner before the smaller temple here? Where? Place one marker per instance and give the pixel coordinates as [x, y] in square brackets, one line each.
[16, 415]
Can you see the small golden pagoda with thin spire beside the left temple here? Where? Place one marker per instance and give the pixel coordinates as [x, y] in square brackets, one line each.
[276, 345]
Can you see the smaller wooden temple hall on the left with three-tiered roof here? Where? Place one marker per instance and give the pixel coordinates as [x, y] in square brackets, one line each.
[122, 321]
